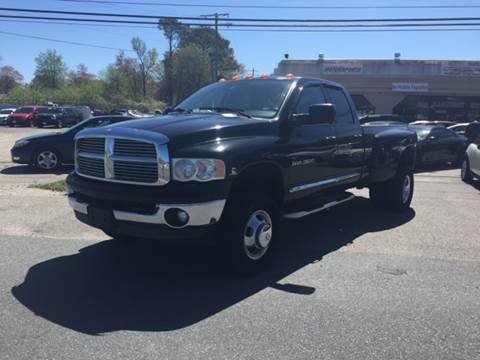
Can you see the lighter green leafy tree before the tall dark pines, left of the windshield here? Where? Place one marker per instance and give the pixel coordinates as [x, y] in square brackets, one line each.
[191, 71]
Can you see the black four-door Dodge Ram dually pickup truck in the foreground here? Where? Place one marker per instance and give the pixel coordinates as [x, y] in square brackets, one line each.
[234, 158]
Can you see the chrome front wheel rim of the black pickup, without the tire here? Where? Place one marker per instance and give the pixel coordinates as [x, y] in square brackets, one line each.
[257, 235]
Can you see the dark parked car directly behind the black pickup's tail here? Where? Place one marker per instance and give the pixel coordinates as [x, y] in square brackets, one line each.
[438, 145]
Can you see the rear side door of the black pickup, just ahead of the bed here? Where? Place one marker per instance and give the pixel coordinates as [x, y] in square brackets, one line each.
[348, 158]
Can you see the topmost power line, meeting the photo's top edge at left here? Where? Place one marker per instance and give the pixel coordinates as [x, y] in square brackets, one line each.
[338, 7]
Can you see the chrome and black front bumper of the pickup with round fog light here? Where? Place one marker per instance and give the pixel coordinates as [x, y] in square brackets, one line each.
[131, 214]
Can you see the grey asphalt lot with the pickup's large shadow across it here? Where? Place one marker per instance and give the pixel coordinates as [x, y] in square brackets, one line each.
[349, 283]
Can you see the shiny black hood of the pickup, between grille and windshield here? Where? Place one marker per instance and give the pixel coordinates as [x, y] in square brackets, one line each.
[196, 128]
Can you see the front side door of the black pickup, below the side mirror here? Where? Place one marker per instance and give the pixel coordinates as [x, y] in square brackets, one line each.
[310, 148]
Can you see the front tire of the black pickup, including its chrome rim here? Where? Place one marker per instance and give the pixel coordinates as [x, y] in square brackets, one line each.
[249, 230]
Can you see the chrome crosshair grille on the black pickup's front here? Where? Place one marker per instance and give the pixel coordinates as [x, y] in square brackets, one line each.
[122, 160]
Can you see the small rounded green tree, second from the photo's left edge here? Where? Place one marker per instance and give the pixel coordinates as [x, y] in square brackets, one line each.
[51, 70]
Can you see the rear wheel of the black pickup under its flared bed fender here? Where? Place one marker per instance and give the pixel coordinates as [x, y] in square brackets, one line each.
[395, 194]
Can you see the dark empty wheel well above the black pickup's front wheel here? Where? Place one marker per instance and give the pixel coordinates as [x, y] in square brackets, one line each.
[266, 178]
